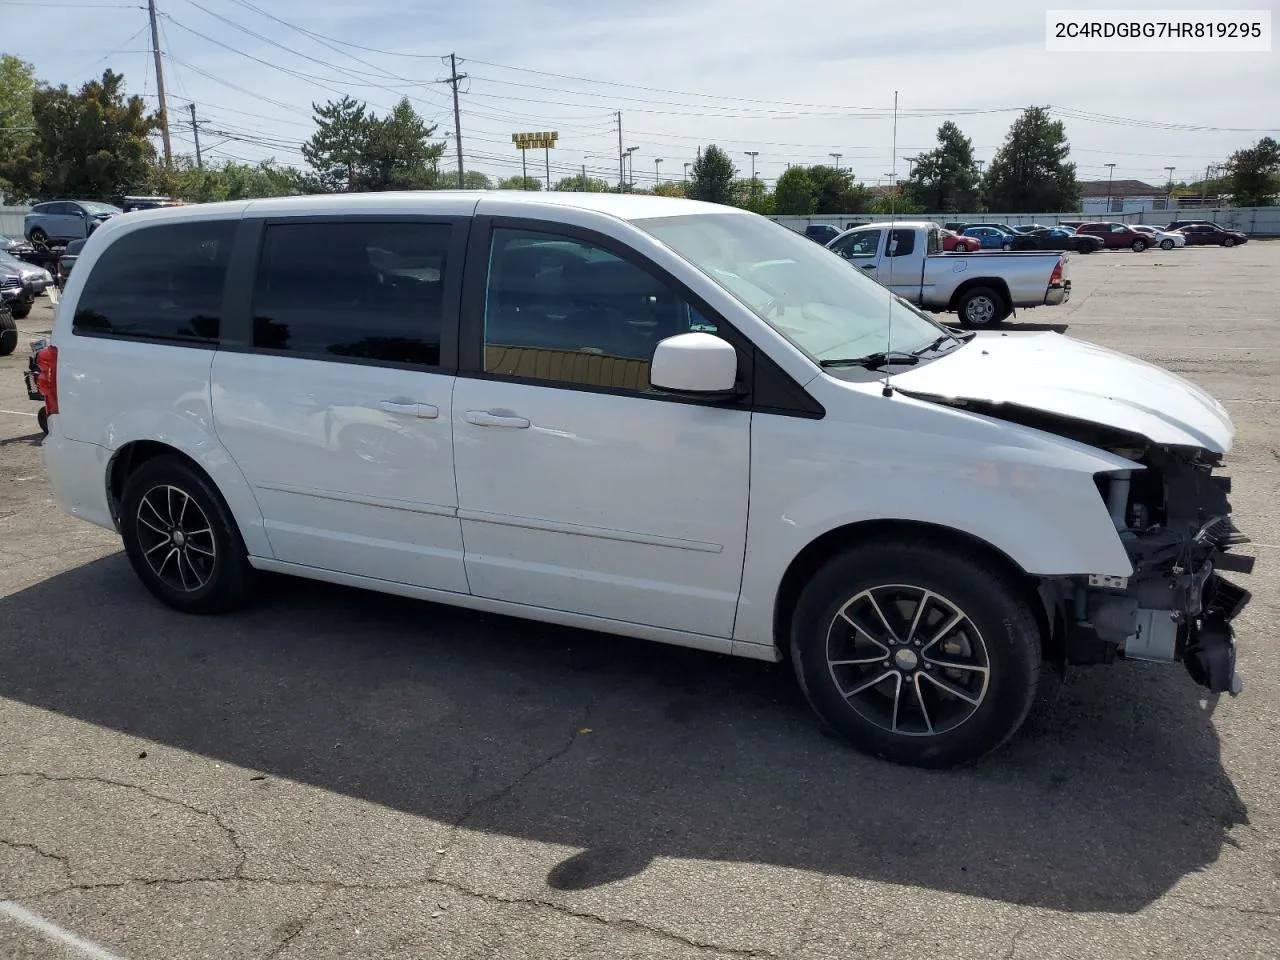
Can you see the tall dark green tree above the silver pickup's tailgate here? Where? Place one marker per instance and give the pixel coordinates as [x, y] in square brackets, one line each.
[1031, 171]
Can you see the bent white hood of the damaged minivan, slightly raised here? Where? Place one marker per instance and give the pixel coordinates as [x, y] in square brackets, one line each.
[1080, 381]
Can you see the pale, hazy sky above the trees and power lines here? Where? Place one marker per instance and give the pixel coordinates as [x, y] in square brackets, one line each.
[796, 81]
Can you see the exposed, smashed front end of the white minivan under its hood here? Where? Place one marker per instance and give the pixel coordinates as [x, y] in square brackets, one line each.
[1174, 520]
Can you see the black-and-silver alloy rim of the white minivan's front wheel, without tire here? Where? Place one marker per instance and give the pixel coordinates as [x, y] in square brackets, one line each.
[908, 660]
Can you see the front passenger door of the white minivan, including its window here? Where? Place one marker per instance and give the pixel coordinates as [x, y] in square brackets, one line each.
[580, 488]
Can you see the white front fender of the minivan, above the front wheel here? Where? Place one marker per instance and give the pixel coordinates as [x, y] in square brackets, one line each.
[1030, 496]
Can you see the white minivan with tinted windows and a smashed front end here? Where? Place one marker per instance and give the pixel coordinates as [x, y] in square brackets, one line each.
[644, 417]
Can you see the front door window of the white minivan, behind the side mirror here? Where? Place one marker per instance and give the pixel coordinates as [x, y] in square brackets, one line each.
[570, 312]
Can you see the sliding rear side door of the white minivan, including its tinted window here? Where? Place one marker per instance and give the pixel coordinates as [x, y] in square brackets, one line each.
[340, 413]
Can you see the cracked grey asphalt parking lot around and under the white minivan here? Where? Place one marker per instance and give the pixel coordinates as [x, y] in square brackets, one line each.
[340, 775]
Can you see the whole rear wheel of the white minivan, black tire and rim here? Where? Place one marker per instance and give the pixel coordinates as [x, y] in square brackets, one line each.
[220, 584]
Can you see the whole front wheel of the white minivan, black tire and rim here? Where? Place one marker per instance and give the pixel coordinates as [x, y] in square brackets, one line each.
[996, 614]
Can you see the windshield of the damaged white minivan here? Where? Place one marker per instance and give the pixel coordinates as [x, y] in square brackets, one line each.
[820, 303]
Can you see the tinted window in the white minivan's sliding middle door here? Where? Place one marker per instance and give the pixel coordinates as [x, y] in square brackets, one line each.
[371, 291]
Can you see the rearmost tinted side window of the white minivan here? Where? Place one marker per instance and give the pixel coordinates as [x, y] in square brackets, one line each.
[159, 284]
